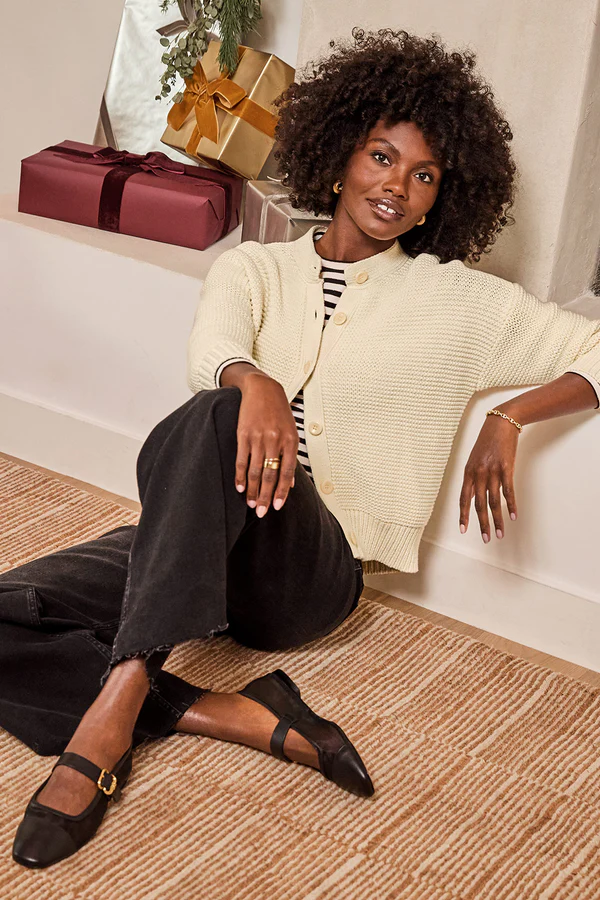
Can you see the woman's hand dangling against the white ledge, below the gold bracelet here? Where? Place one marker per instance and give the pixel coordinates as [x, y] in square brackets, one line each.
[490, 465]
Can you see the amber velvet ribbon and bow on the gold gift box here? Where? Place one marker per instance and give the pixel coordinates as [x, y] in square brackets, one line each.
[204, 97]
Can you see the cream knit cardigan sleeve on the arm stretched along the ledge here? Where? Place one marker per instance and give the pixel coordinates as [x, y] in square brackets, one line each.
[539, 342]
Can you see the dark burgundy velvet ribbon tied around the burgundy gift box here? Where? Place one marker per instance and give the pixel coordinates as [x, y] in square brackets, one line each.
[124, 165]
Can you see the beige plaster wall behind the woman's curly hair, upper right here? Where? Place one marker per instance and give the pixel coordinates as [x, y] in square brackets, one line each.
[539, 55]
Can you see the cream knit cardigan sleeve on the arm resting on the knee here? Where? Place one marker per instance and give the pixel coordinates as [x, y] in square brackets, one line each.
[225, 323]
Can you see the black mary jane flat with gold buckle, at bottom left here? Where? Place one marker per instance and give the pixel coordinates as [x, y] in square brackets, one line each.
[45, 836]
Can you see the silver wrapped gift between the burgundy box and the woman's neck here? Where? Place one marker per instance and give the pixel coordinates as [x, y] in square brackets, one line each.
[269, 216]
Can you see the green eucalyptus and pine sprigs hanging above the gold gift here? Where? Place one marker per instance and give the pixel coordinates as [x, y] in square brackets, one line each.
[184, 49]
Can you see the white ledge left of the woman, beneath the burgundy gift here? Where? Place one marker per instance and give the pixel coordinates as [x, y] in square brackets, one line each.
[96, 324]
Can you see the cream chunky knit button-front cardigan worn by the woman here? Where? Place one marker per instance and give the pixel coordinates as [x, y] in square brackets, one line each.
[387, 381]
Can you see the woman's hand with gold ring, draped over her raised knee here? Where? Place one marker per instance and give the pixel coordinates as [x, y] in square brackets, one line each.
[266, 428]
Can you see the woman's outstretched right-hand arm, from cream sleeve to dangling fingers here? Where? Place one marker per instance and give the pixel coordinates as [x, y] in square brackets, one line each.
[539, 342]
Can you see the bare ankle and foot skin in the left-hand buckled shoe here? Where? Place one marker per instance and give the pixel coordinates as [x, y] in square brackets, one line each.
[103, 736]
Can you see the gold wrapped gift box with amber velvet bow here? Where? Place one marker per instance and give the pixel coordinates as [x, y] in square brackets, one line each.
[229, 123]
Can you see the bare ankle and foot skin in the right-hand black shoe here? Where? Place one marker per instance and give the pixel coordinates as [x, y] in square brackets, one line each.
[233, 717]
